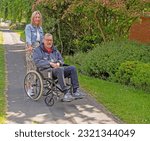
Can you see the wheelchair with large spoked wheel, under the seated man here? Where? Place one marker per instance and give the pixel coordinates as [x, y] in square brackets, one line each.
[44, 84]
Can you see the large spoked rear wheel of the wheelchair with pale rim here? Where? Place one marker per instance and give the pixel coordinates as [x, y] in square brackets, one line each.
[33, 79]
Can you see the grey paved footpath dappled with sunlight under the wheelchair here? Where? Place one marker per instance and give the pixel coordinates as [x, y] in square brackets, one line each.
[21, 109]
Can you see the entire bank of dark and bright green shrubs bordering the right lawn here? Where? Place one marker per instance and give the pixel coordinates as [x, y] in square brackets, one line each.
[121, 61]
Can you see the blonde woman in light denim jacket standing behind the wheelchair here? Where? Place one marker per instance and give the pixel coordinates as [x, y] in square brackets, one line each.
[34, 37]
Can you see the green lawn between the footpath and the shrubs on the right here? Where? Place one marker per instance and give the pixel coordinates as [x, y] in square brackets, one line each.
[128, 104]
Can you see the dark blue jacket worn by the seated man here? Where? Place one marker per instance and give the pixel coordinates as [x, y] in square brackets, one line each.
[42, 58]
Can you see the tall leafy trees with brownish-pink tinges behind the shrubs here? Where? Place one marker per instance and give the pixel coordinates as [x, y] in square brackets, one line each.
[81, 25]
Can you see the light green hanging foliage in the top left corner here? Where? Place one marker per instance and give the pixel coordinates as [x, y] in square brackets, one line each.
[16, 10]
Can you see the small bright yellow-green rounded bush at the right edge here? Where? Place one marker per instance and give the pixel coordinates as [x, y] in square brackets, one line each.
[134, 73]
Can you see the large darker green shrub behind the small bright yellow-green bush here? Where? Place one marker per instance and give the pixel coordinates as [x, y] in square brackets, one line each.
[104, 61]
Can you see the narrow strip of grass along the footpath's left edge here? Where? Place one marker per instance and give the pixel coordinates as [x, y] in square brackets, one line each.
[2, 83]
